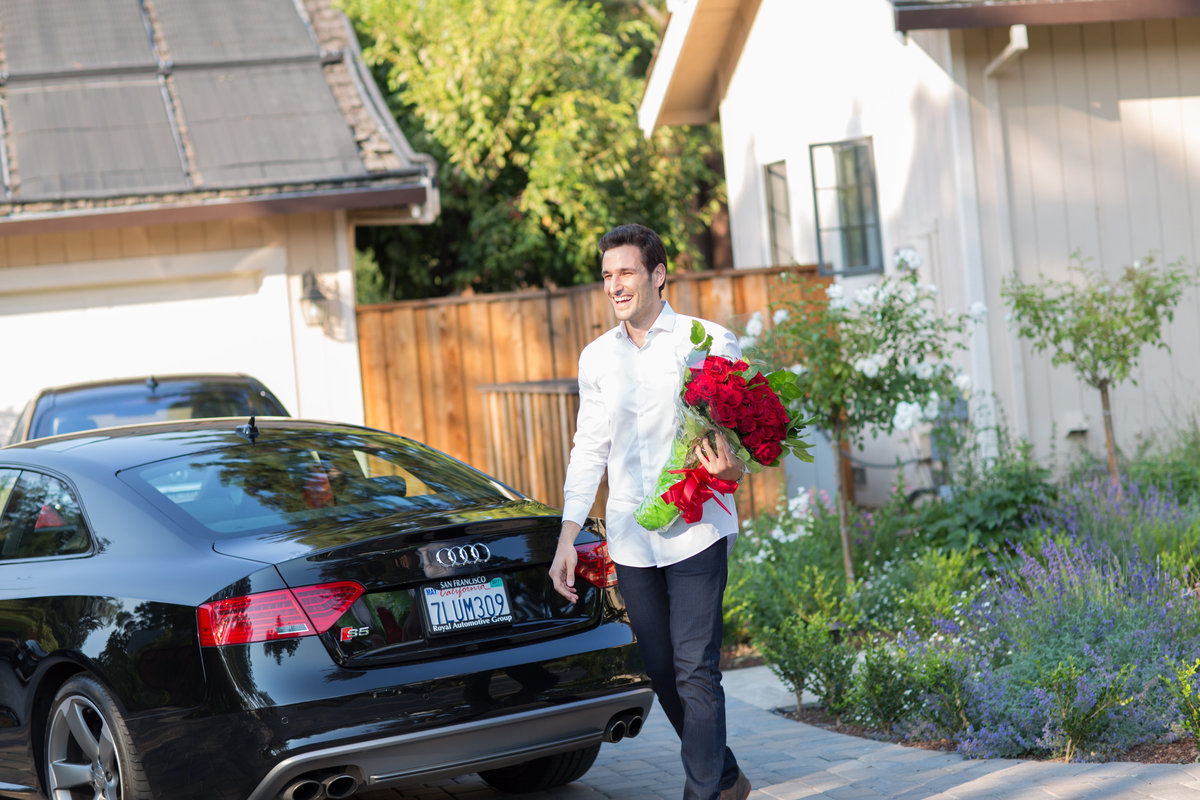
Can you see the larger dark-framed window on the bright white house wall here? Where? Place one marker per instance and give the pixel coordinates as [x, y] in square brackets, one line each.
[847, 208]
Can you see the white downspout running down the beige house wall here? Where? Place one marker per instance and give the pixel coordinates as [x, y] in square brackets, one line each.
[1018, 44]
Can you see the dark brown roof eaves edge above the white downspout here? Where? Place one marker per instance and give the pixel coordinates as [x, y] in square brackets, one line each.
[922, 15]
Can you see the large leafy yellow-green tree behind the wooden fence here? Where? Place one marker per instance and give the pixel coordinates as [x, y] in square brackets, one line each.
[530, 110]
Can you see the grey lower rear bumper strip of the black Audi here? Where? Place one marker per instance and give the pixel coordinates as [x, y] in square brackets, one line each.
[464, 748]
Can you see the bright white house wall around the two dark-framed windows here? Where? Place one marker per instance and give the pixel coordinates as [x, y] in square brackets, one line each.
[814, 73]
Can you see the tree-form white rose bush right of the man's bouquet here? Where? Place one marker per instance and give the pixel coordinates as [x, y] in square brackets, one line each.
[874, 360]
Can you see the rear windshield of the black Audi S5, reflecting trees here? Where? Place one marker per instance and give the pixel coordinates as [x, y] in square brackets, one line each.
[281, 484]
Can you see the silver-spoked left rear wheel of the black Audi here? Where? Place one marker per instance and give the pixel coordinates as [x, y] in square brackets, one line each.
[88, 749]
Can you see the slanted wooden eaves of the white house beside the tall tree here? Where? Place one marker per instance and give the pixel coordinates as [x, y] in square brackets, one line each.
[697, 57]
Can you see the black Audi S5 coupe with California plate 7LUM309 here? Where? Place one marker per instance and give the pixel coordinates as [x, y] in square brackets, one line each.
[260, 610]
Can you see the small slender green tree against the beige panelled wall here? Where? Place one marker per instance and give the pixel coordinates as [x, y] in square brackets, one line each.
[1099, 326]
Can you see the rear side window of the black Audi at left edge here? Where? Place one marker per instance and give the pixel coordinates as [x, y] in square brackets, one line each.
[40, 518]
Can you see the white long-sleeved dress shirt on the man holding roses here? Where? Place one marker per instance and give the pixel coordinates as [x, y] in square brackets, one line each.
[627, 423]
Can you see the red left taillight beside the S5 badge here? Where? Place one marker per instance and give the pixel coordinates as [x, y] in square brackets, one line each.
[283, 615]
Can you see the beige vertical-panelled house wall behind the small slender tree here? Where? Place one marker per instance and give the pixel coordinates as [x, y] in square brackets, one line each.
[1100, 157]
